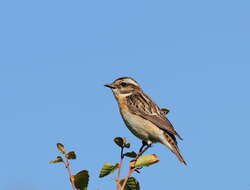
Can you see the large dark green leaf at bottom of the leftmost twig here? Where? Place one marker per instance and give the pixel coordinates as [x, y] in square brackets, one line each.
[81, 180]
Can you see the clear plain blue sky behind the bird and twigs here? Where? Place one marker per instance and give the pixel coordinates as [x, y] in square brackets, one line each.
[192, 57]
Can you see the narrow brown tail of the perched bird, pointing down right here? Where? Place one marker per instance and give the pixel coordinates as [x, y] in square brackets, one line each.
[171, 143]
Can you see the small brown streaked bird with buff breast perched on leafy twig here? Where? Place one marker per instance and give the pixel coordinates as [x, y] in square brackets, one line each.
[143, 117]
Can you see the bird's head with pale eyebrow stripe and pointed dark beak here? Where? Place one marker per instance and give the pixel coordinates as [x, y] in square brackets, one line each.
[123, 86]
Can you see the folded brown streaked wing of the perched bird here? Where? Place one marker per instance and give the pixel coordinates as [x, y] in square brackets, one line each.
[141, 105]
